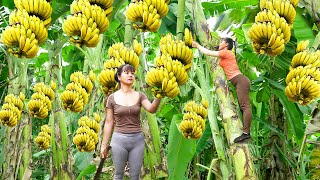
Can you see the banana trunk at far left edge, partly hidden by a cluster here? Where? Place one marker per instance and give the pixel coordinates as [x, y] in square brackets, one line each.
[17, 143]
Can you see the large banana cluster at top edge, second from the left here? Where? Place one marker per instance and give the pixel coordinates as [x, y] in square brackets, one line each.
[88, 19]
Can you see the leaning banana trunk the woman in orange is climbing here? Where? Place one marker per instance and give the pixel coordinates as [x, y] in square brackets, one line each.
[240, 153]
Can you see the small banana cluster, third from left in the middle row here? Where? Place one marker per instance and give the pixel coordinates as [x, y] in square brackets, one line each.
[77, 92]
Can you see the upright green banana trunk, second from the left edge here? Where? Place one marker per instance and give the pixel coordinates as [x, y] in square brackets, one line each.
[61, 167]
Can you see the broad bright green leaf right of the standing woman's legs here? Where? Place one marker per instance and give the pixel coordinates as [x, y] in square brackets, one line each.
[181, 151]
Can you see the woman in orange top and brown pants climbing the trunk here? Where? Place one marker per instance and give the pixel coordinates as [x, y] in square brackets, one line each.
[242, 84]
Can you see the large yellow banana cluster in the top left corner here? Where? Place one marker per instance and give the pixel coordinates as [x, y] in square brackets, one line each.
[28, 27]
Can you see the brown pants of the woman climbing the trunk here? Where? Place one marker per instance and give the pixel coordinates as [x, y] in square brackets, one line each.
[242, 85]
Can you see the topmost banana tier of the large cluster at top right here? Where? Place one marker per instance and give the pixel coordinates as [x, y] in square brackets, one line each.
[283, 7]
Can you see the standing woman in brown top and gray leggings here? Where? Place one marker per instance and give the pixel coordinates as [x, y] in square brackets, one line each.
[123, 119]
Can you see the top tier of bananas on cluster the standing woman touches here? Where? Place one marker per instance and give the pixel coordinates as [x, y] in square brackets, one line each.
[177, 49]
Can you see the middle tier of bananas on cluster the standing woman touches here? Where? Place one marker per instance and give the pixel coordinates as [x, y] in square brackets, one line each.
[174, 66]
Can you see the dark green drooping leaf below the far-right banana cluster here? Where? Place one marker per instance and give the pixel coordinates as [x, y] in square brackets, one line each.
[294, 116]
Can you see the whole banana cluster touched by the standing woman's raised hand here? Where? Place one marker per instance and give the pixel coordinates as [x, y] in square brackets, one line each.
[171, 68]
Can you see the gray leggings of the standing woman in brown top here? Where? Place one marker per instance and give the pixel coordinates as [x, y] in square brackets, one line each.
[127, 147]
